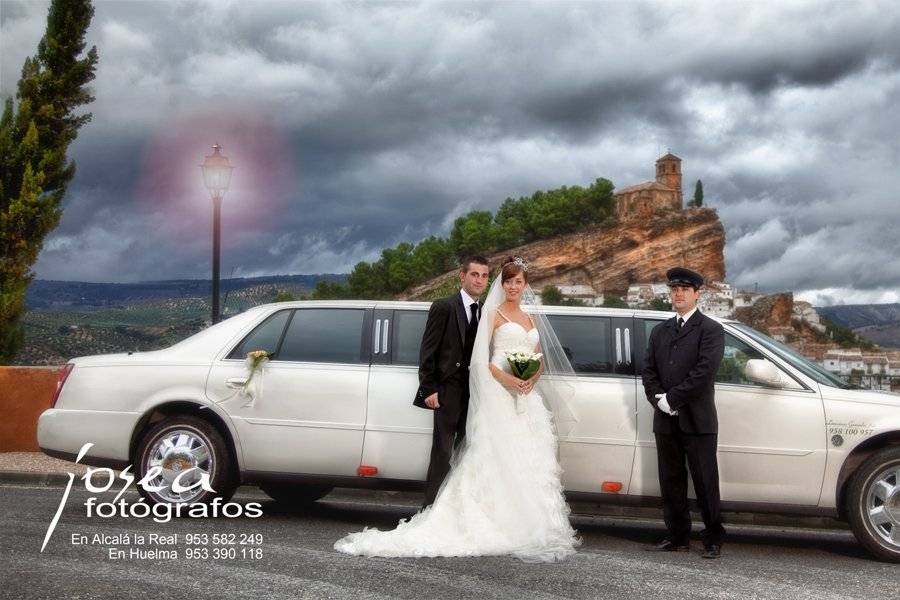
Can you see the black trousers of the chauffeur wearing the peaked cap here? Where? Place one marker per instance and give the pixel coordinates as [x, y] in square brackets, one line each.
[700, 452]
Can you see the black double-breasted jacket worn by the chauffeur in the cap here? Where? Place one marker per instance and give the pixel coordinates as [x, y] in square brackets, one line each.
[683, 365]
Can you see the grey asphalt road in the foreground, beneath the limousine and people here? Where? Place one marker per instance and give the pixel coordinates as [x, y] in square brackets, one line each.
[297, 560]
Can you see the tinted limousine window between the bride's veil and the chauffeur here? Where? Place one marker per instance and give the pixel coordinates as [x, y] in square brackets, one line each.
[586, 341]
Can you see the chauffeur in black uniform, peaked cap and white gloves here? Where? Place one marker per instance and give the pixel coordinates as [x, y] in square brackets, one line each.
[679, 374]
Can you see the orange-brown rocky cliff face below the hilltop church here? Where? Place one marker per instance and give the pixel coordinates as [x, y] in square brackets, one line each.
[611, 259]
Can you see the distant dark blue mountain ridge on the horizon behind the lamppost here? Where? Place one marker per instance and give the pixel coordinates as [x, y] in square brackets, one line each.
[79, 295]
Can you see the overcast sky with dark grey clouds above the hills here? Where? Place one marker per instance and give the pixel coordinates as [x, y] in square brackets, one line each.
[354, 126]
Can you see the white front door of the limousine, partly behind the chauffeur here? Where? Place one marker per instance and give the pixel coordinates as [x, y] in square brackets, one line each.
[771, 440]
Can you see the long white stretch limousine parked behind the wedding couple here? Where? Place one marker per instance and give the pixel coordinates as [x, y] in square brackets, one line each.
[336, 410]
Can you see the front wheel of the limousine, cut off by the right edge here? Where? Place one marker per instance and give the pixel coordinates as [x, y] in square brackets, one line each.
[874, 504]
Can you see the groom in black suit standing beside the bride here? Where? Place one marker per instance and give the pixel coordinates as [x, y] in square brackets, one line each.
[444, 358]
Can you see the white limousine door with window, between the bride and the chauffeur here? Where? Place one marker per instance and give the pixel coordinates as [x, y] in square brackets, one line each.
[600, 447]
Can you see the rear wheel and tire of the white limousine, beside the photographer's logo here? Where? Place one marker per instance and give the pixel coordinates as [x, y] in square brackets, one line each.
[179, 443]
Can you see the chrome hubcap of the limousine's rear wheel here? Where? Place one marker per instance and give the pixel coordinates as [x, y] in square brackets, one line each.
[175, 452]
